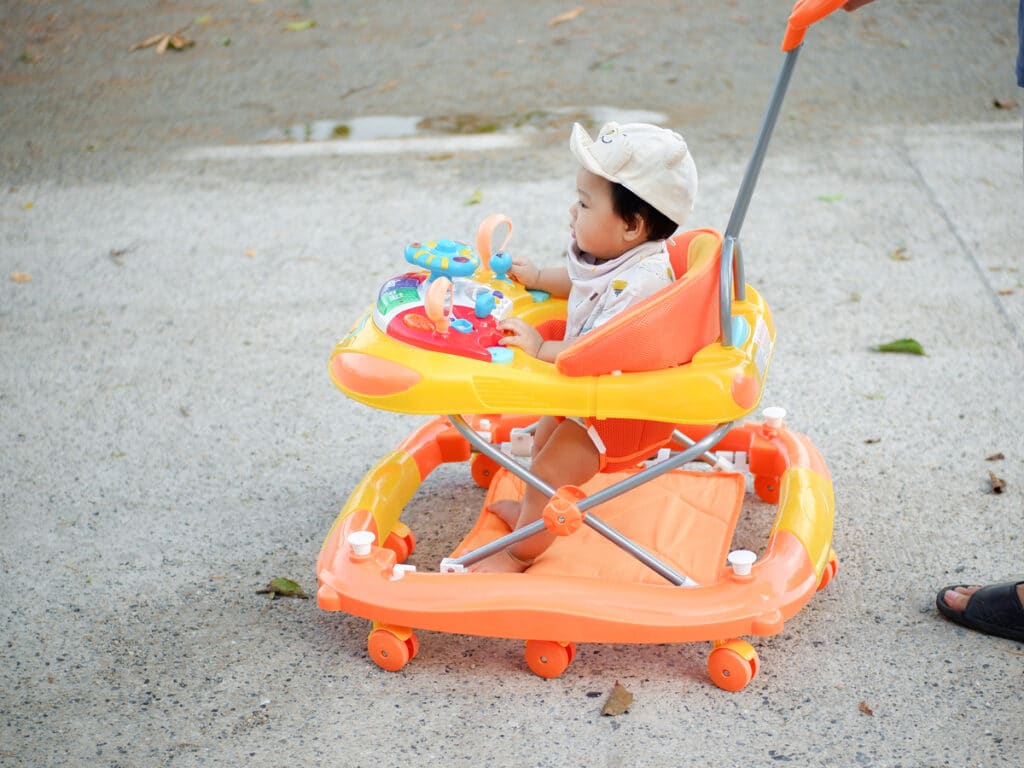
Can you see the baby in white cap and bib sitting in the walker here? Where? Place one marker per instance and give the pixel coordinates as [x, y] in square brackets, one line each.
[635, 188]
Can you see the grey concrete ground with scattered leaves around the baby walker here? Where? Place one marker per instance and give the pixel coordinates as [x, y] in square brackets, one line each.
[172, 285]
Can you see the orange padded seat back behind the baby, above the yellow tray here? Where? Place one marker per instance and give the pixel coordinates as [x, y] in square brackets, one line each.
[665, 330]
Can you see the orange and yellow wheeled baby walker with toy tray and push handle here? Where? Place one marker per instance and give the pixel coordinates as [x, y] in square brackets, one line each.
[643, 556]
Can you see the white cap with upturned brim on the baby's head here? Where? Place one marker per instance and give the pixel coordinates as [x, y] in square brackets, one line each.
[653, 163]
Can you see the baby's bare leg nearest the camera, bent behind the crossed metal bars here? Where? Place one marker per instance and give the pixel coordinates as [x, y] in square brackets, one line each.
[568, 457]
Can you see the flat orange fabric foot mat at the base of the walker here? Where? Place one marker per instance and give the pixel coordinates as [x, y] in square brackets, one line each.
[685, 519]
